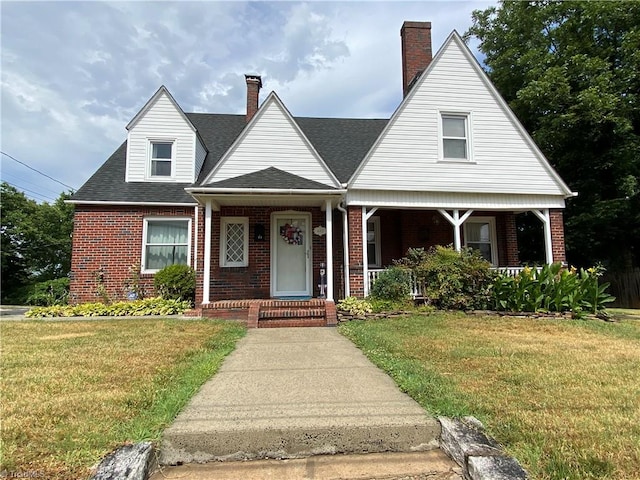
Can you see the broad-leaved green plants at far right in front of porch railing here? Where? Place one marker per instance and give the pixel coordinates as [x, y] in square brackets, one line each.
[552, 288]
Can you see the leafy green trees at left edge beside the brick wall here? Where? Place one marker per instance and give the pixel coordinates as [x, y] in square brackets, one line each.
[36, 241]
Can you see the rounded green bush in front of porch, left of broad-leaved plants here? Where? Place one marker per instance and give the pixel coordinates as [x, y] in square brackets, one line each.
[450, 279]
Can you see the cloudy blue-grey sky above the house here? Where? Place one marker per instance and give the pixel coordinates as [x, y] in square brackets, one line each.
[75, 73]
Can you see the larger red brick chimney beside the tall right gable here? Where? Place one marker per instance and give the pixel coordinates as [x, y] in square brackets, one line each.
[416, 51]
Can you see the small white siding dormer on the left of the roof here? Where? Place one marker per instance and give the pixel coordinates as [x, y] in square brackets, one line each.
[162, 119]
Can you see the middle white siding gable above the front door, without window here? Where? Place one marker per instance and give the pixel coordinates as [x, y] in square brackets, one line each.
[273, 139]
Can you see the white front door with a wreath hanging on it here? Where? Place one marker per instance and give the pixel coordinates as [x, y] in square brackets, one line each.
[291, 255]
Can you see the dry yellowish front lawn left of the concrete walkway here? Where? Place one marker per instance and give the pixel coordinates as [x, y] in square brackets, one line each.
[72, 391]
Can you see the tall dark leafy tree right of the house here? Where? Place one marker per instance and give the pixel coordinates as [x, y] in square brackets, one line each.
[571, 73]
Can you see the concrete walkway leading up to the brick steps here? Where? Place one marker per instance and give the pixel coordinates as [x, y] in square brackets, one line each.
[292, 393]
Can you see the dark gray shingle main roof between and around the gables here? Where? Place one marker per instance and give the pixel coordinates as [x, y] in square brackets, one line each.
[342, 143]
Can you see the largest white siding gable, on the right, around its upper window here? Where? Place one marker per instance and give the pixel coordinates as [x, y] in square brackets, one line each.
[408, 154]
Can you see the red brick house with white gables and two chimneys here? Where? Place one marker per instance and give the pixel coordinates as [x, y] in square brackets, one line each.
[259, 204]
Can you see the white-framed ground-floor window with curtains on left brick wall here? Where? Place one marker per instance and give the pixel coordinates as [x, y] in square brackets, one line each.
[165, 241]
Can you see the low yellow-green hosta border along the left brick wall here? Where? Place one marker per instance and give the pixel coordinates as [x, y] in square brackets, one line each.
[149, 306]
